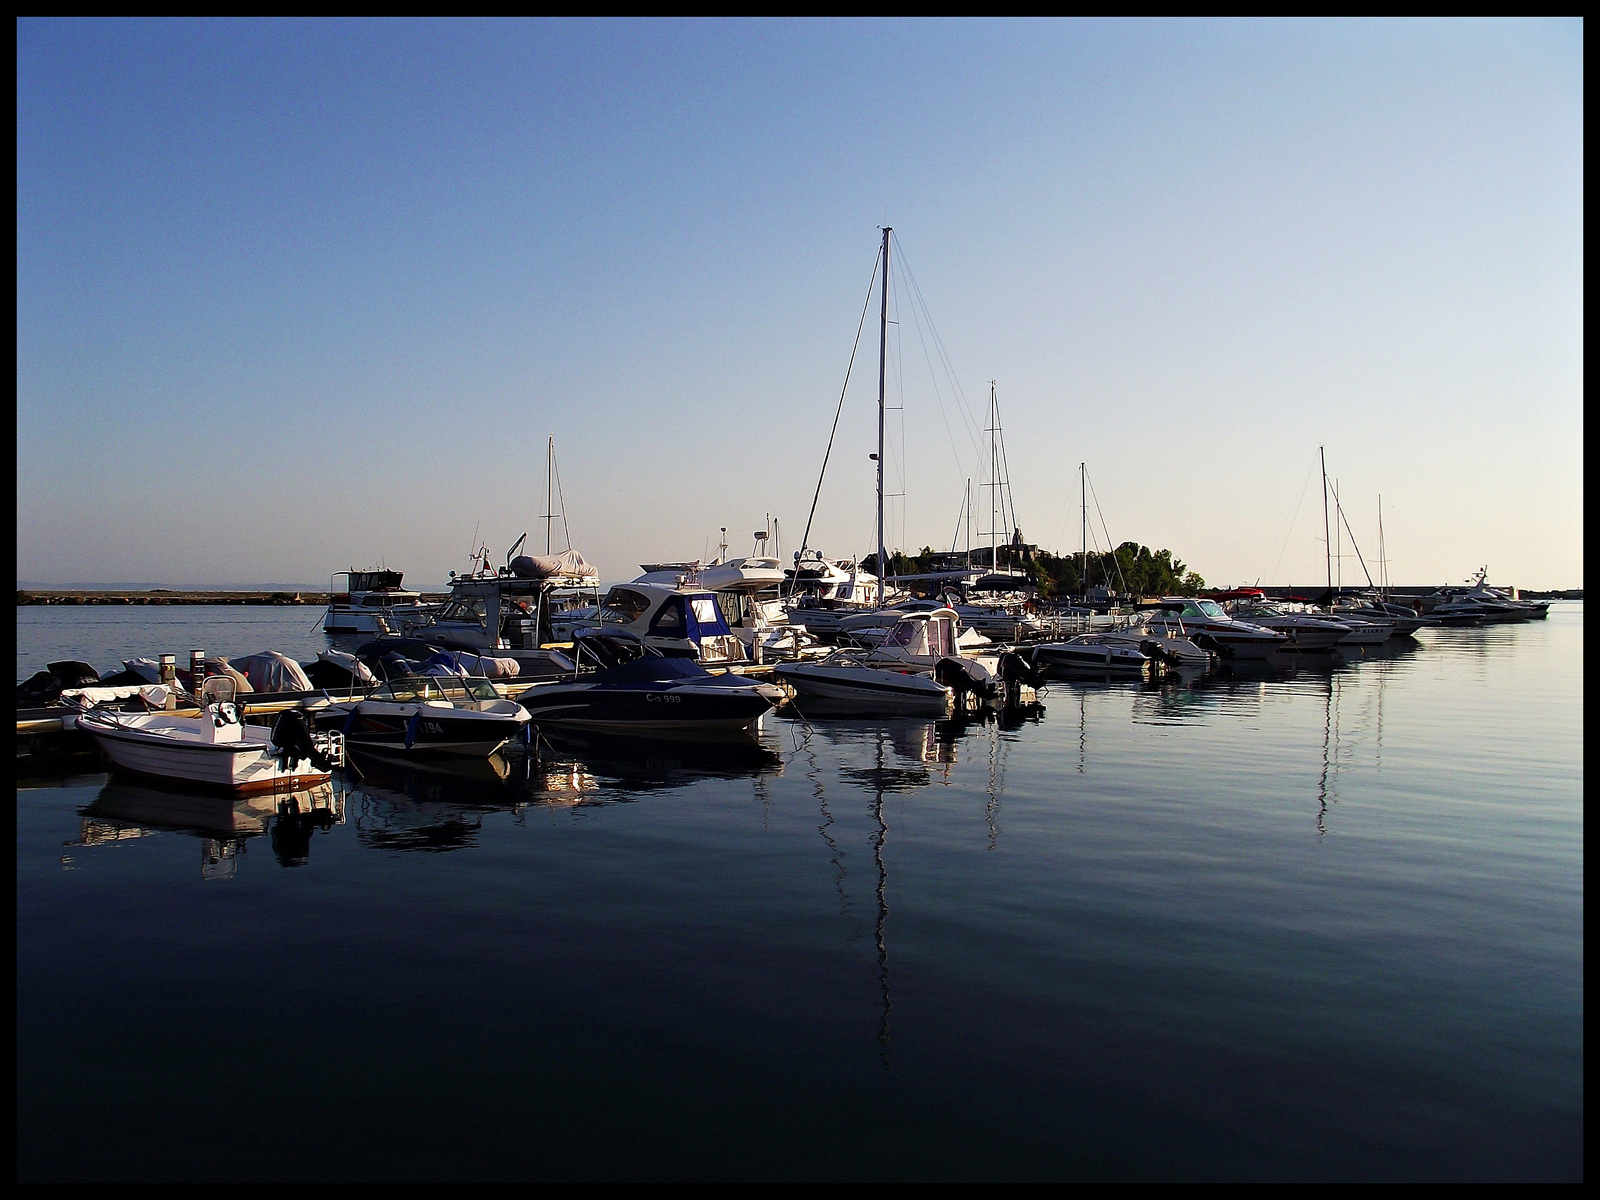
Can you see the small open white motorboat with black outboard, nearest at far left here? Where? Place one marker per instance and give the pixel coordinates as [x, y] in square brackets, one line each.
[215, 748]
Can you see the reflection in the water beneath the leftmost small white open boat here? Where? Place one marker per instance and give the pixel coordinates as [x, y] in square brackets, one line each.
[124, 812]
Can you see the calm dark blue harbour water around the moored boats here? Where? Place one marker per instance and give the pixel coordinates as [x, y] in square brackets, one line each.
[1319, 926]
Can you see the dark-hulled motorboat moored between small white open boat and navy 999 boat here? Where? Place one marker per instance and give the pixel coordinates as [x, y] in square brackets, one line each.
[428, 716]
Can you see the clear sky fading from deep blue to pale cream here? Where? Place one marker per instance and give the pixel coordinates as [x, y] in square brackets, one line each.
[297, 297]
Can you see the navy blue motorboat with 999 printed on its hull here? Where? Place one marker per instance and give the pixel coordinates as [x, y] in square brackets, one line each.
[636, 689]
